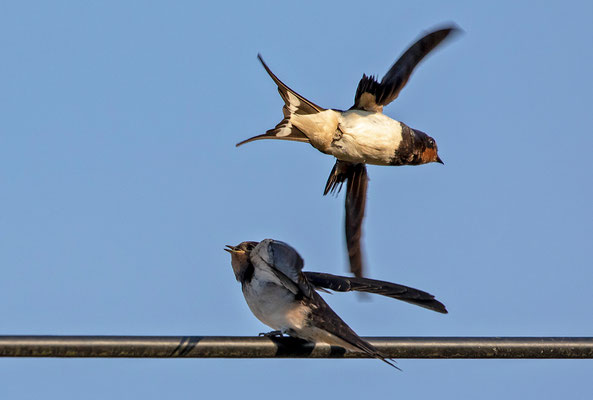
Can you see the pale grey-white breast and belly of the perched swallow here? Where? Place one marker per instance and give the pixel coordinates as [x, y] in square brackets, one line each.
[274, 305]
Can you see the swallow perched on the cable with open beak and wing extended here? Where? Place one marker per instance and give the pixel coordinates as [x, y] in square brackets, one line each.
[283, 297]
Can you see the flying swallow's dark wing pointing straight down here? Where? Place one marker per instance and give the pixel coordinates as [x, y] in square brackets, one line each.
[356, 188]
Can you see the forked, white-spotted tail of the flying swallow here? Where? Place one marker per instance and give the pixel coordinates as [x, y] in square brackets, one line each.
[294, 103]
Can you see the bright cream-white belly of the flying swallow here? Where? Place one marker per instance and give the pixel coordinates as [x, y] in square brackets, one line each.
[367, 137]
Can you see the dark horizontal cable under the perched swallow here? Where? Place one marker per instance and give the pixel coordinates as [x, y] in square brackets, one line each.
[286, 347]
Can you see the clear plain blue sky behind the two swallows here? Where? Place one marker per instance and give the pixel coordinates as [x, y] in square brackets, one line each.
[120, 185]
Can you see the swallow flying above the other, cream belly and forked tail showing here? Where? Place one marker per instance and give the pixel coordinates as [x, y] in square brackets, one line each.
[361, 135]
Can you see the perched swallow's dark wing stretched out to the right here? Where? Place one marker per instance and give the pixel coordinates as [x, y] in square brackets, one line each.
[393, 290]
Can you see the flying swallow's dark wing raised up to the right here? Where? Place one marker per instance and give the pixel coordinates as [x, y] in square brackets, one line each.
[372, 95]
